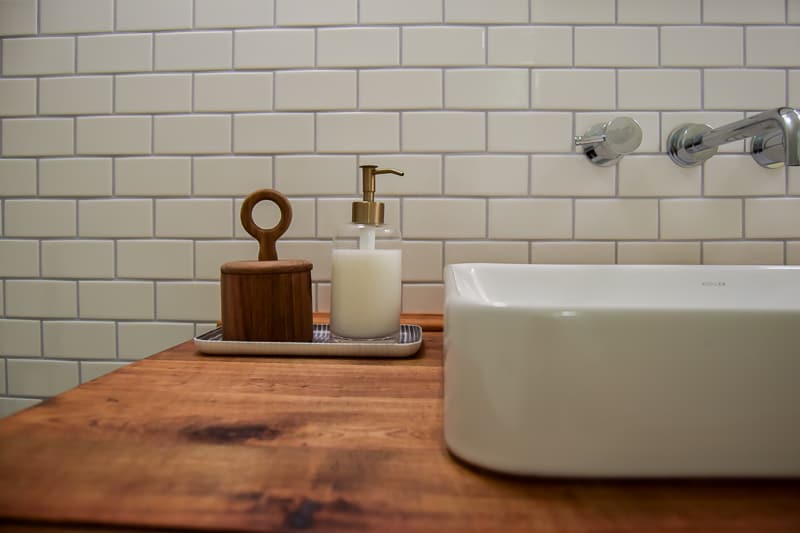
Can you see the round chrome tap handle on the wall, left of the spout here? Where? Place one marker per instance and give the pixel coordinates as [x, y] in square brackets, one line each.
[605, 143]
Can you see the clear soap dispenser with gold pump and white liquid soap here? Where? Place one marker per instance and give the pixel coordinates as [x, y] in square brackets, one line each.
[366, 281]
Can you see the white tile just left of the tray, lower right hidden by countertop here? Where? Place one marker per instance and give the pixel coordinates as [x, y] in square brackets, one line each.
[138, 340]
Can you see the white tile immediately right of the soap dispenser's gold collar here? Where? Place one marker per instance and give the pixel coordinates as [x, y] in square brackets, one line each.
[445, 218]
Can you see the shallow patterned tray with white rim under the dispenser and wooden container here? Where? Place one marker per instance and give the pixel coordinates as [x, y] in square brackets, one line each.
[322, 345]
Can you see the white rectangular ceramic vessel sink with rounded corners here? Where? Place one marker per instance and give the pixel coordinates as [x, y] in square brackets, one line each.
[632, 371]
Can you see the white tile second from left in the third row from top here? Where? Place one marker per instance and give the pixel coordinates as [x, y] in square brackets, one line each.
[84, 95]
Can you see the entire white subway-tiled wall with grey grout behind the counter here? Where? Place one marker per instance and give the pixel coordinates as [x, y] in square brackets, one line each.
[133, 129]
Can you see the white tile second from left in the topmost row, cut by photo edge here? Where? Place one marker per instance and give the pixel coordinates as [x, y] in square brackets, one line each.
[76, 16]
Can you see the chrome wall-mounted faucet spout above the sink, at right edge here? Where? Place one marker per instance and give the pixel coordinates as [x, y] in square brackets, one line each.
[775, 133]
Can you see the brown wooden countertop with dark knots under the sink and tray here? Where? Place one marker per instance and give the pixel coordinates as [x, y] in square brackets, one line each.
[182, 440]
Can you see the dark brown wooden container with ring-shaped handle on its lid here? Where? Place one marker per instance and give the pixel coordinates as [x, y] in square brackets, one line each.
[268, 299]
